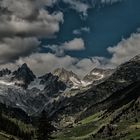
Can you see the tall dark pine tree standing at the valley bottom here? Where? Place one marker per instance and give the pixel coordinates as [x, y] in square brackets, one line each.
[44, 128]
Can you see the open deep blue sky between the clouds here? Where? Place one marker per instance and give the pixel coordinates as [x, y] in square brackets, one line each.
[108, 25]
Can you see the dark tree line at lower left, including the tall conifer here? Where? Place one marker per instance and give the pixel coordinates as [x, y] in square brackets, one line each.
[42, 130]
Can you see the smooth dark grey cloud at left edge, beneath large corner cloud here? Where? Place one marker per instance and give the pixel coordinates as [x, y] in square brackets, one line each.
[13, 48]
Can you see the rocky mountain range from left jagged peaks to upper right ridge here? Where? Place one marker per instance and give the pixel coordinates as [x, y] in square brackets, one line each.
[62, 91]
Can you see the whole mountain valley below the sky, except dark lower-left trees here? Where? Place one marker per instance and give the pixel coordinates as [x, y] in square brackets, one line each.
[105, 104]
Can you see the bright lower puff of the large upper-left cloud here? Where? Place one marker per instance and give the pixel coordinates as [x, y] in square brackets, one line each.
[44, 24]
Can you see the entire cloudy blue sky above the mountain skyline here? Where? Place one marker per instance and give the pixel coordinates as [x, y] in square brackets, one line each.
[78, 35]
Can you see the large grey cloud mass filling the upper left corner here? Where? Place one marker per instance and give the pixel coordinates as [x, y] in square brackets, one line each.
[28, 18]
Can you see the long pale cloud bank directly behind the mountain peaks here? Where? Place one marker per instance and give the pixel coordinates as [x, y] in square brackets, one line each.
[42, 63]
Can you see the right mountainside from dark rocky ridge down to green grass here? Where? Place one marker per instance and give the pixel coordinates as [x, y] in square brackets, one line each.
[112, 115]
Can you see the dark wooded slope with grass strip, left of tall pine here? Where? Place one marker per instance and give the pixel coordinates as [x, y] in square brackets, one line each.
[13, 124]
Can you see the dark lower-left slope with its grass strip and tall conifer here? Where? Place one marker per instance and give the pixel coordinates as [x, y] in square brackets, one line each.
[16, 125]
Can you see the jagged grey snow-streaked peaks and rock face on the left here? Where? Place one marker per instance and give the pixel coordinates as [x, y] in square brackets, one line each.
[23, 89]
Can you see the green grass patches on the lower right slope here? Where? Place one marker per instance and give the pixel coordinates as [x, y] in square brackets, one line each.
[127, 129]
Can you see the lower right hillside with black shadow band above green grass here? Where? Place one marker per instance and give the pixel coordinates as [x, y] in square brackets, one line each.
[120, 119]
